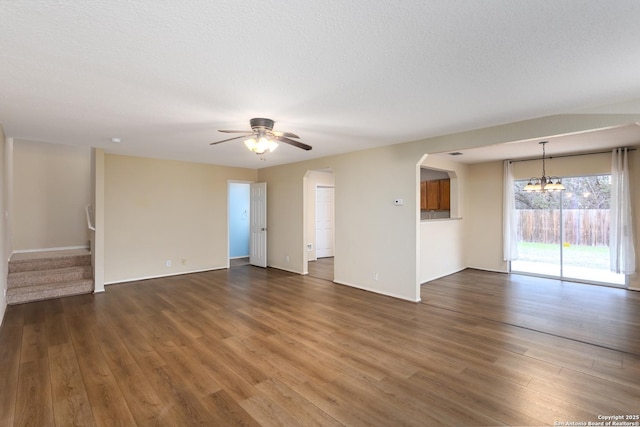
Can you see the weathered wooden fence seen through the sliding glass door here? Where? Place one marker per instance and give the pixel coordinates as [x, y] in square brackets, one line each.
[588, 227]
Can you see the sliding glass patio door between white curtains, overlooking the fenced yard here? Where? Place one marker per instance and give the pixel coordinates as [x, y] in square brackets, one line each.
[566, 234]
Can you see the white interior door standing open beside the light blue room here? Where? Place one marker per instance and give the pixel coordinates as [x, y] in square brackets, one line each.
[258, 218]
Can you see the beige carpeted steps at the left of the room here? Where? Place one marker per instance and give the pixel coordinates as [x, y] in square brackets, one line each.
[44, 275]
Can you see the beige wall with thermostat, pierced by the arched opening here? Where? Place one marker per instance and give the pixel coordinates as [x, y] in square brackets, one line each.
[375, 241]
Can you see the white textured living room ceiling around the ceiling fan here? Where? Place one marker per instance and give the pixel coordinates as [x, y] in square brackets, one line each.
[165, 75]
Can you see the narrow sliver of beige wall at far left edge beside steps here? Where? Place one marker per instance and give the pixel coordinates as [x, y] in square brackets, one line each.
[4, 227]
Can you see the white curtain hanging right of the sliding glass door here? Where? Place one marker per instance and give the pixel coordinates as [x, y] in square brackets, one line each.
[622, 252]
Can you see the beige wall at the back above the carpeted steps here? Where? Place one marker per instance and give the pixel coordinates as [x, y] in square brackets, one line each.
[52, 186]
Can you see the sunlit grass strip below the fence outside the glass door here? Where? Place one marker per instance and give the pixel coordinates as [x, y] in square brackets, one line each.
[596, 257]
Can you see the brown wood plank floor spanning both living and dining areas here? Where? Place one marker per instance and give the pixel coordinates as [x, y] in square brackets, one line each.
[252, 346]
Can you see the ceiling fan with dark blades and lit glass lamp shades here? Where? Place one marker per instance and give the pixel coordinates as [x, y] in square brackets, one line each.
[263, 138]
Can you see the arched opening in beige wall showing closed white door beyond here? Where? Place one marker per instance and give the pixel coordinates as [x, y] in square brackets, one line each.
[320, 223]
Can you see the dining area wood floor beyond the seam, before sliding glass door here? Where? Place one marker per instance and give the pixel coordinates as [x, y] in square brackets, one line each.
[603, 316]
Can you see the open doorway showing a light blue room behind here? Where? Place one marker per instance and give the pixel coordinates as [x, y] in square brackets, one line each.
[239, 224]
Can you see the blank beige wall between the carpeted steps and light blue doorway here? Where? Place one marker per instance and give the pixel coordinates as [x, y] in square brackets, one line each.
[161, 210]
